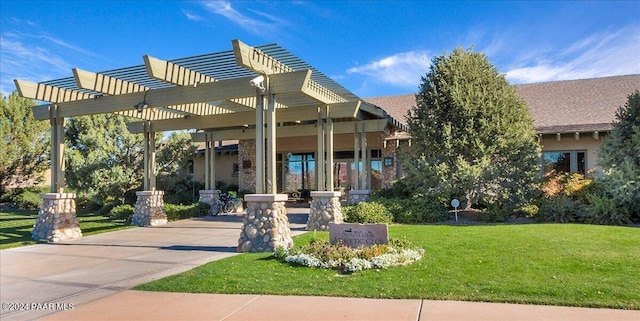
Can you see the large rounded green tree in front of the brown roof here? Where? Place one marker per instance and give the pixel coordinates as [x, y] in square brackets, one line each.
[473, 136]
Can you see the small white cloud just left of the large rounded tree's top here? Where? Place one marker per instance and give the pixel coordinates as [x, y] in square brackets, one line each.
[400, 70]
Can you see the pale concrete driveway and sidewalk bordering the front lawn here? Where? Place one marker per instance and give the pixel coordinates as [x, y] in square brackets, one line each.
[90, 278]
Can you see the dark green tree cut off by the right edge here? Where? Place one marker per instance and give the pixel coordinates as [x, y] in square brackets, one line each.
[620, 157]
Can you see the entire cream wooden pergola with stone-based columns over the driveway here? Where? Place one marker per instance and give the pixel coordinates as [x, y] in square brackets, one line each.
[264, 97]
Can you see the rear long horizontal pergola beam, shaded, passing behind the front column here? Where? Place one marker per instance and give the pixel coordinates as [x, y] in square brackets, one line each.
[342, 110]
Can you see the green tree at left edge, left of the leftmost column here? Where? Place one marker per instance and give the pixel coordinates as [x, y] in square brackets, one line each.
[24, 143]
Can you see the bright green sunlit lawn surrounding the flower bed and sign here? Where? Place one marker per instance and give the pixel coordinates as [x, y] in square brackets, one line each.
[552, 264]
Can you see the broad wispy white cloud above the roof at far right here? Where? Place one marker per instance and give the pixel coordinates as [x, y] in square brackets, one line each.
[600, 55]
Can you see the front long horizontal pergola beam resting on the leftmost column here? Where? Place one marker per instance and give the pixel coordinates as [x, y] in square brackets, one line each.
[218, 90]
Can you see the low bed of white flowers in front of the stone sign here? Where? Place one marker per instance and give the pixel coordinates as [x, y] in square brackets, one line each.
[322, 254]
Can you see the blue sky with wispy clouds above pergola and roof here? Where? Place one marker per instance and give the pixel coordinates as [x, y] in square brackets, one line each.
[372, 48]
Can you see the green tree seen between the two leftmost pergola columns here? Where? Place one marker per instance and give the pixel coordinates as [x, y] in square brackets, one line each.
[103, 160]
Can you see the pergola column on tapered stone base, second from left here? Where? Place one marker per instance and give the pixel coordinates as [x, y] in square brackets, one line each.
[149, 209]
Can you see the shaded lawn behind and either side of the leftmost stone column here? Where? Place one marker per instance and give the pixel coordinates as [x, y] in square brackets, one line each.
[16, 226]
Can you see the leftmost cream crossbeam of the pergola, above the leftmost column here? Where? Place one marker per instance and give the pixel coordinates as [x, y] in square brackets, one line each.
[49, 93]
